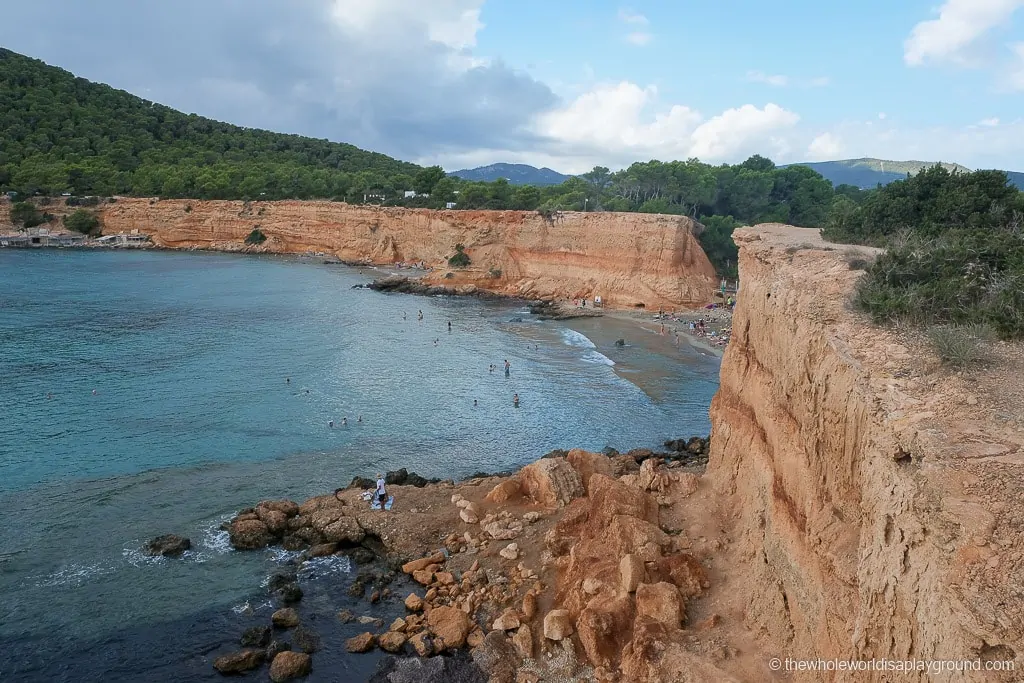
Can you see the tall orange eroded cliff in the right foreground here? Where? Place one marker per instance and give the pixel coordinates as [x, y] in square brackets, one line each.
[873, 498]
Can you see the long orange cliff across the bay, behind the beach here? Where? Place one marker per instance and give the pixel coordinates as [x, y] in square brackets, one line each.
[626, 259]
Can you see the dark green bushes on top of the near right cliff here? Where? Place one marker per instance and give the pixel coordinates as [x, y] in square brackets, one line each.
[955, 250]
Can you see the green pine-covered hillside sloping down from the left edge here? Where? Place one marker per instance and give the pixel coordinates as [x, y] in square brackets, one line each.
[63, 134]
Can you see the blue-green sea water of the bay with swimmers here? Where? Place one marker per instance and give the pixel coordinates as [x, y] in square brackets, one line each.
[193, 418]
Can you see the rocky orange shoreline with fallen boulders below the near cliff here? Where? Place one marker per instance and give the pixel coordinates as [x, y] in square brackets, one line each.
[569, 569]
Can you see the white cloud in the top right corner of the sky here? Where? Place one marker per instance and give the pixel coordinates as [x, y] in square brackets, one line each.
[960, 25]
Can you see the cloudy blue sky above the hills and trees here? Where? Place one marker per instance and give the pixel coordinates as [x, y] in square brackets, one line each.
[570, 84]
